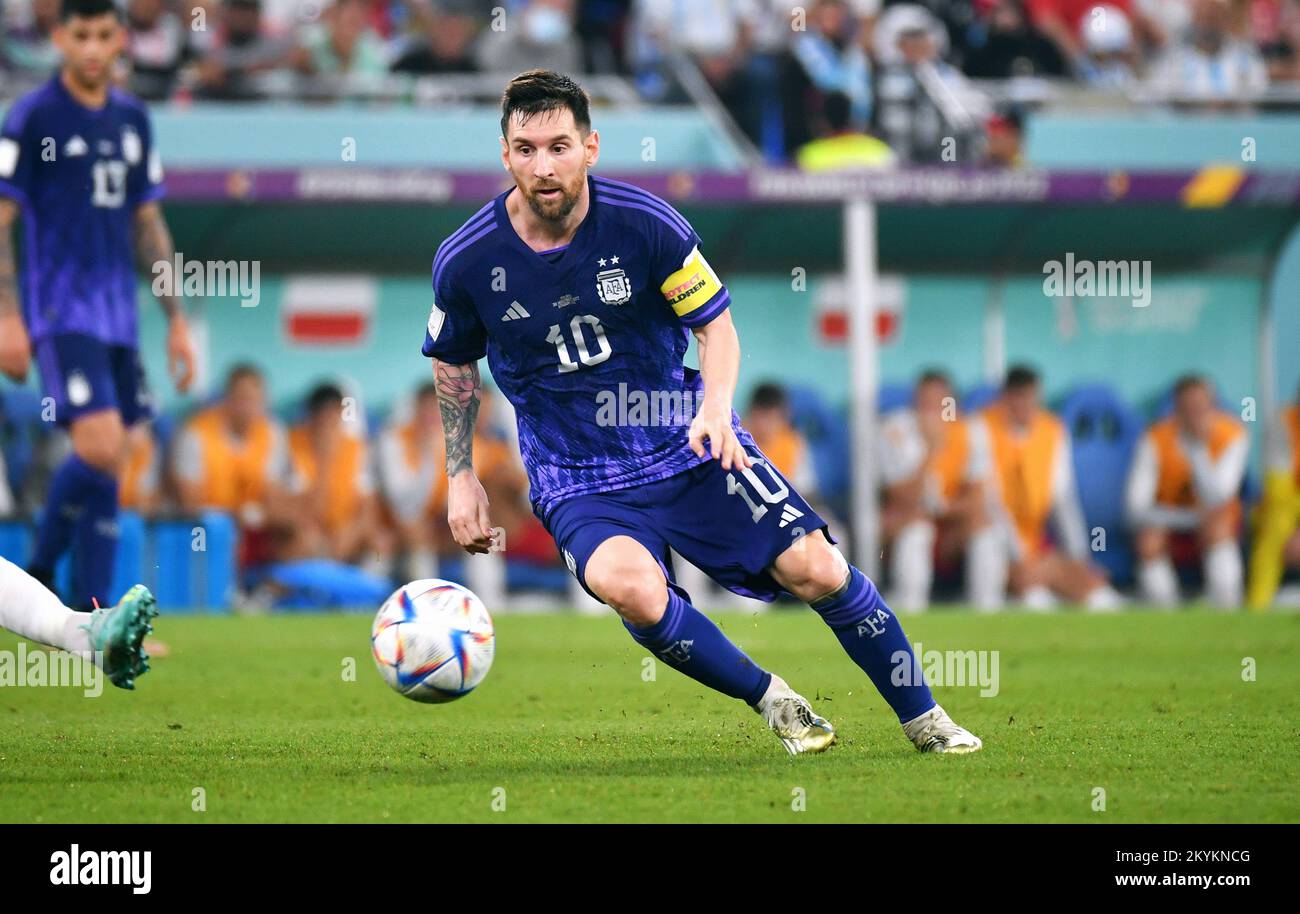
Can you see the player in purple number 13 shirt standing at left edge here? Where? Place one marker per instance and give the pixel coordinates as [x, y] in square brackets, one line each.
[77, 162]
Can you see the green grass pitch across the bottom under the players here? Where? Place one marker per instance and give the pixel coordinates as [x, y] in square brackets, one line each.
[262, 716]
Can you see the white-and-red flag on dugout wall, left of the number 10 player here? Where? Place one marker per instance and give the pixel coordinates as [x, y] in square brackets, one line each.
[330, 310]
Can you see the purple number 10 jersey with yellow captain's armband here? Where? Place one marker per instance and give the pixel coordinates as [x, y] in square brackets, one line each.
[588, 343]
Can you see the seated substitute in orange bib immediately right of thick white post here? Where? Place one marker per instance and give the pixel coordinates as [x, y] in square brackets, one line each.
[937, 491]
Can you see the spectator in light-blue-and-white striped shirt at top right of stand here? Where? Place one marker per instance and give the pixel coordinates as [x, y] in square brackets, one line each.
[1211, 66]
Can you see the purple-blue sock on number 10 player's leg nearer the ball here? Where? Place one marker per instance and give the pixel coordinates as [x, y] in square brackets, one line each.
[694, 646]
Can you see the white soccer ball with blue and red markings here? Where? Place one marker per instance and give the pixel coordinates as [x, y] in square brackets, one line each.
[434, 642]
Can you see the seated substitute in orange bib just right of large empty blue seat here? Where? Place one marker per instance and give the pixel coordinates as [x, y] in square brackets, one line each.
[1185, 486]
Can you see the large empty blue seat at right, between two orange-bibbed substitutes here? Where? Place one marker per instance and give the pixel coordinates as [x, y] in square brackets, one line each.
[1104, 432]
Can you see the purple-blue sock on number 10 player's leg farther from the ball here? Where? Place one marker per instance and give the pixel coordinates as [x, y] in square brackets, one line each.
[873, 636]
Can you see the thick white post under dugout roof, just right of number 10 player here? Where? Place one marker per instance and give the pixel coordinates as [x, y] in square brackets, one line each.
[860, 262]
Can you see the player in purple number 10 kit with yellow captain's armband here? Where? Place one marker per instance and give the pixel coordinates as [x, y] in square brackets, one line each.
[583, 294]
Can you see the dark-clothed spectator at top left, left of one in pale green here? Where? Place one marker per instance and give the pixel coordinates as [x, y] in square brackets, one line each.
[244, 54]
